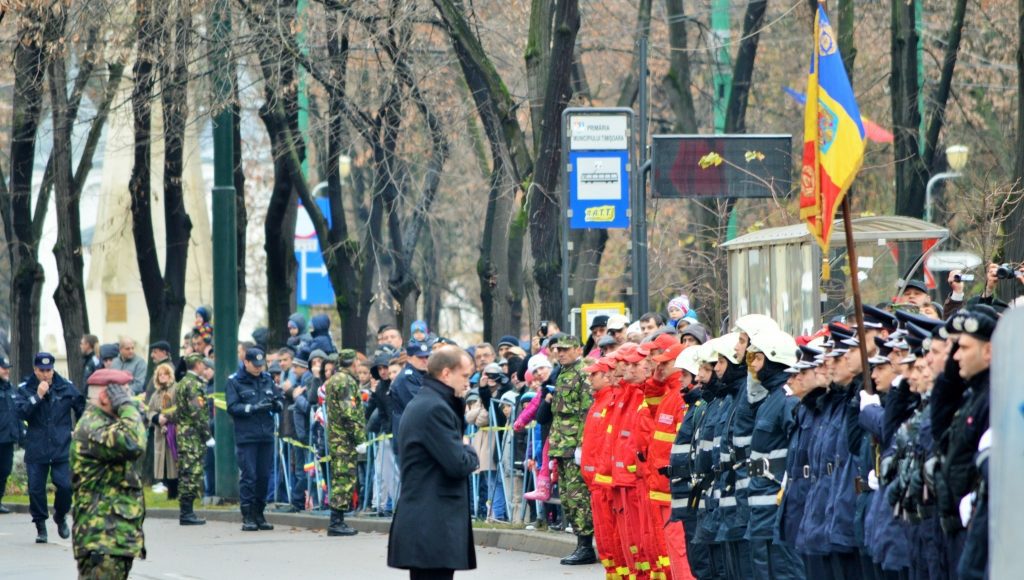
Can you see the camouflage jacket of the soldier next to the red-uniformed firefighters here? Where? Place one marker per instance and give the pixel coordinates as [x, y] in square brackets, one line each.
[569, 407]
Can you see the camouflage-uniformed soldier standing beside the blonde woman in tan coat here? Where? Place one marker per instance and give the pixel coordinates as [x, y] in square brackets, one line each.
[194, 432]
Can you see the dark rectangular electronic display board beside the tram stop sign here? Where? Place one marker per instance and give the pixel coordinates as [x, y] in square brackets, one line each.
[721, 167]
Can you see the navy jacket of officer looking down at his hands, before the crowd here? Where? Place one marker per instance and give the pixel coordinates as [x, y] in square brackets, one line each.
[252, 402]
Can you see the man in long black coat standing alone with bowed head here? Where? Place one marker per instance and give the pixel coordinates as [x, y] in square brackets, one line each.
[432, 534]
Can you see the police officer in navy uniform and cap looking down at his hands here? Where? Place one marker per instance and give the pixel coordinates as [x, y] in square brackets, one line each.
[252, 400]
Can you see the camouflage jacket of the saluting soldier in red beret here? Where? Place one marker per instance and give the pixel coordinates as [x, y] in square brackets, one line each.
[109, 507]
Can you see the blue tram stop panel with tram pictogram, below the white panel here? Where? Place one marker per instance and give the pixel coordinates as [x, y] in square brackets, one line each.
[600, 189]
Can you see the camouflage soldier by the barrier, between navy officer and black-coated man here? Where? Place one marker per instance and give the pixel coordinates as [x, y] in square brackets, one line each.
[345, 433]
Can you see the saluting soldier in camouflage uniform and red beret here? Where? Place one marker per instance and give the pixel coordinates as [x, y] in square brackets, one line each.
[109, 507]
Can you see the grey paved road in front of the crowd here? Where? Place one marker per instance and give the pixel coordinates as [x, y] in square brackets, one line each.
[223, 552]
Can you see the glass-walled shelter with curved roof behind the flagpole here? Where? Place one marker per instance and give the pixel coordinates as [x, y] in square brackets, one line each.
[778, 272]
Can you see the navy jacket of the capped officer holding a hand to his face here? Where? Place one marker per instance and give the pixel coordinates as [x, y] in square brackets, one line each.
[51, 421]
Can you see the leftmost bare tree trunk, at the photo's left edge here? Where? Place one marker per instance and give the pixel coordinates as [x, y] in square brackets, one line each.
[27, 282]
